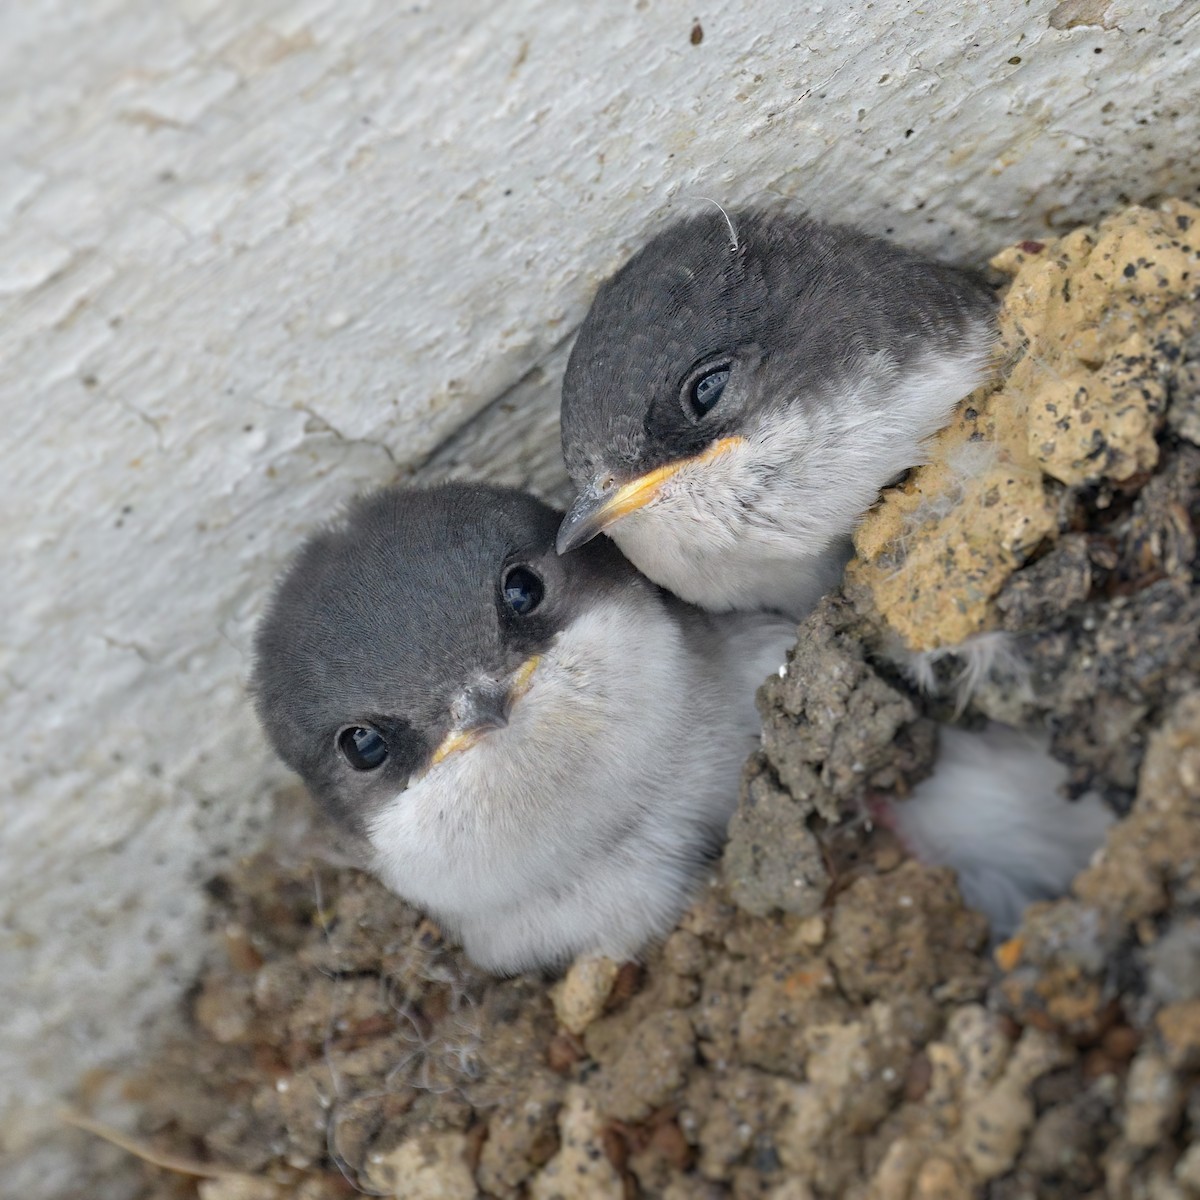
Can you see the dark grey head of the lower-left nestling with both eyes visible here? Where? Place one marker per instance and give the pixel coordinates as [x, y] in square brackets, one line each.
[392, 622]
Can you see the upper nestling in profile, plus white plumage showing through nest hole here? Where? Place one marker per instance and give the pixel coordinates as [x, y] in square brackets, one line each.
[739, 395]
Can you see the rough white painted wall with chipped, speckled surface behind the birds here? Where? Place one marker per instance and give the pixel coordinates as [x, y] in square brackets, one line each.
[257, 255]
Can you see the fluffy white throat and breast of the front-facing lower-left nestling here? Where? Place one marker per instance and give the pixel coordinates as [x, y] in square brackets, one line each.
[583, 825]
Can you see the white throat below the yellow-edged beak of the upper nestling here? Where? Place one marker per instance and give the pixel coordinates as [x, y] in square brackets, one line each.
[767, 524]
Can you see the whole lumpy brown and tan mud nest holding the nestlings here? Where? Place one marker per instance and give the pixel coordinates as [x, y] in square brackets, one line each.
[827, 1021]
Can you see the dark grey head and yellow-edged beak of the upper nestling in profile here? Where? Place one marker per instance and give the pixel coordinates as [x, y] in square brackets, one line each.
[704, 333]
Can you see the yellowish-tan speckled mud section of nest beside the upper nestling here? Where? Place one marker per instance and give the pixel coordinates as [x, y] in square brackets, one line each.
[1094, 329]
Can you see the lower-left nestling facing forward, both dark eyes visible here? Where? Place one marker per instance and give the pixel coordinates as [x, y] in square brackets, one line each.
[542, 752]
